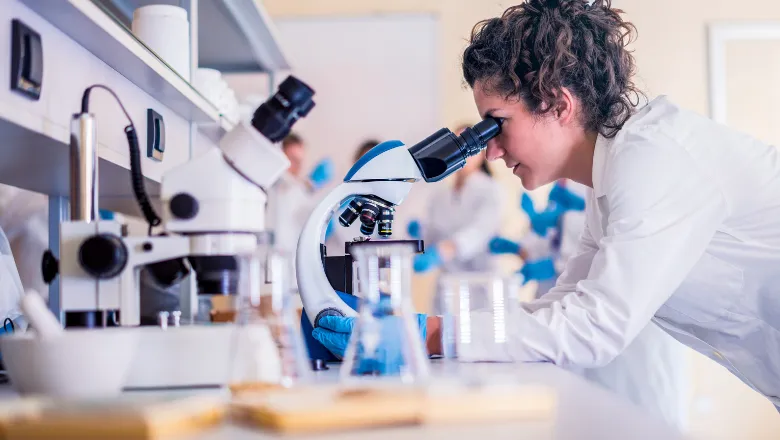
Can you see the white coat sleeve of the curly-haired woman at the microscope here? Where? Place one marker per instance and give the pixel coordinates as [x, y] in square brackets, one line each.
[660, 210]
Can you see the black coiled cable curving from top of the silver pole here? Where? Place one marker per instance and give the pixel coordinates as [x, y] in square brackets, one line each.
[136, 174]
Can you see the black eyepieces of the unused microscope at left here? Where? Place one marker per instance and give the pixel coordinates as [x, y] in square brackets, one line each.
[275, 117]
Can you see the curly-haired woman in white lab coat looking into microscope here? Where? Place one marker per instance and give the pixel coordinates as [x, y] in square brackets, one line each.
[682, 219]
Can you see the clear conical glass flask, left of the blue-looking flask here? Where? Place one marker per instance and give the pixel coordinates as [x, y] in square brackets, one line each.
[267, 348]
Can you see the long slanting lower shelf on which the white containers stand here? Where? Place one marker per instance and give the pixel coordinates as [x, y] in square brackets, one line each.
[88, 25]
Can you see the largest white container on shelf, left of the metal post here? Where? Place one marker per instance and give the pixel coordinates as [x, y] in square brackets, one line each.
[166, 30]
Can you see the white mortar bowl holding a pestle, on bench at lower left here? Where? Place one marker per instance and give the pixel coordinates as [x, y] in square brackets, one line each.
[76, 364]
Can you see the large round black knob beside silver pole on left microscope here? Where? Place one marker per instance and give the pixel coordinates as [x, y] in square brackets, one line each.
[103, 256]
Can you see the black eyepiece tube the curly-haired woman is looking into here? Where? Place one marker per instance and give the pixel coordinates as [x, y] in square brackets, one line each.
[443, 153]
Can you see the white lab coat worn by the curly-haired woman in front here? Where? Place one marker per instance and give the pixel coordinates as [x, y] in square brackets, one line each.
[682, 229]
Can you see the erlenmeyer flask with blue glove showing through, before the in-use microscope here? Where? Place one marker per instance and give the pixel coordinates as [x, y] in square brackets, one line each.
[386, 339]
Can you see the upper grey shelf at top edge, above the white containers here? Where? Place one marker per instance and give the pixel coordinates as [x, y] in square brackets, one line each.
[233, 35]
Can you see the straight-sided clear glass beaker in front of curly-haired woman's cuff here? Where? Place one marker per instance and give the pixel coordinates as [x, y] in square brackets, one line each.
[477, 313]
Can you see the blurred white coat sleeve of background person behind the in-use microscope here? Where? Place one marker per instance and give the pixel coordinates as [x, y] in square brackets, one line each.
[472, 240]
